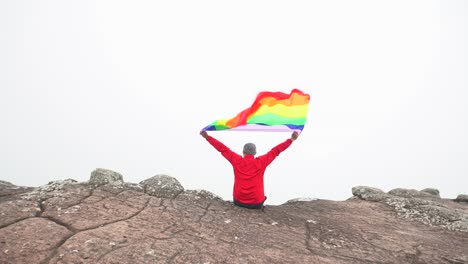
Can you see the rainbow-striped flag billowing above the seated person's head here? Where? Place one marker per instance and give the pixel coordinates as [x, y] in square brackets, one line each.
[271, 111]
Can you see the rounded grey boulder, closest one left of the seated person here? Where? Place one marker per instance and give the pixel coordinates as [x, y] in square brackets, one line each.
[162, 186]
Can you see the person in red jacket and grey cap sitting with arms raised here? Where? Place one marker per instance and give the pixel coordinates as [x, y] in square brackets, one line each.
[249, 170]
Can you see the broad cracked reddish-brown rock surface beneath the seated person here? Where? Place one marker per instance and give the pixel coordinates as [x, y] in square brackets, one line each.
[70, 222]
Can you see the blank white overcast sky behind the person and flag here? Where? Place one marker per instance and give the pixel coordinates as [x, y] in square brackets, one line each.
[127, 86]
